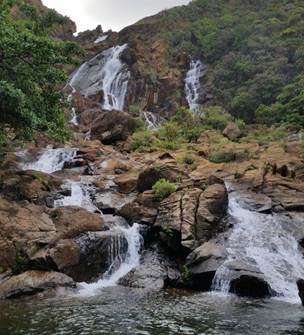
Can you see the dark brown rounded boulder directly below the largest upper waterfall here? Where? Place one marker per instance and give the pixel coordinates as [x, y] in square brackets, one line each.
[113, 126]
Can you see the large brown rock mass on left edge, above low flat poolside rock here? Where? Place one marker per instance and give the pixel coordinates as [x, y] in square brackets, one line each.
[28, 233]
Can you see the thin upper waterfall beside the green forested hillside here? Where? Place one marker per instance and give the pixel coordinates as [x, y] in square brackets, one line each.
[193, 85]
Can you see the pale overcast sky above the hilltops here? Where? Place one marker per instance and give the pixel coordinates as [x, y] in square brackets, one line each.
[111, 14]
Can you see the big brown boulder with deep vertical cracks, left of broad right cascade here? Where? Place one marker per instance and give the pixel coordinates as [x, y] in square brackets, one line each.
[189, 218]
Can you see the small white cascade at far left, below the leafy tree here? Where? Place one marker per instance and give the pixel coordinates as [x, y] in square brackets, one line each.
[51, 160]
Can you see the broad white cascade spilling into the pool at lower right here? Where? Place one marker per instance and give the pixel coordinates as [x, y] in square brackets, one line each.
[265, 242]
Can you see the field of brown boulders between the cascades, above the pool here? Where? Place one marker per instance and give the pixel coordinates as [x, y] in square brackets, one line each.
[44, 247]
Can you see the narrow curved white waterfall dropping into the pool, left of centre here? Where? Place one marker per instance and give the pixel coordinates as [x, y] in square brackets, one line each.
[121, 264]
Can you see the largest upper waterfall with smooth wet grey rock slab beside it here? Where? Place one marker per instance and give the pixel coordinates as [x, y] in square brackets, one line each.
[104, 73]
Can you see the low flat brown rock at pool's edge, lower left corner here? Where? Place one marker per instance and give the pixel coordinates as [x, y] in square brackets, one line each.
[31, 282]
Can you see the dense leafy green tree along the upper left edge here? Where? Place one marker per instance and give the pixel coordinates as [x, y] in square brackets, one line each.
[31, 72]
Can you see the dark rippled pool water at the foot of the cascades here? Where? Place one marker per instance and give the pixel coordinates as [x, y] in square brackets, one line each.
[125, 311]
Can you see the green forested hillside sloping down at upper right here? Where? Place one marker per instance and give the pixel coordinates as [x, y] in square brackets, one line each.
[254, 52]
